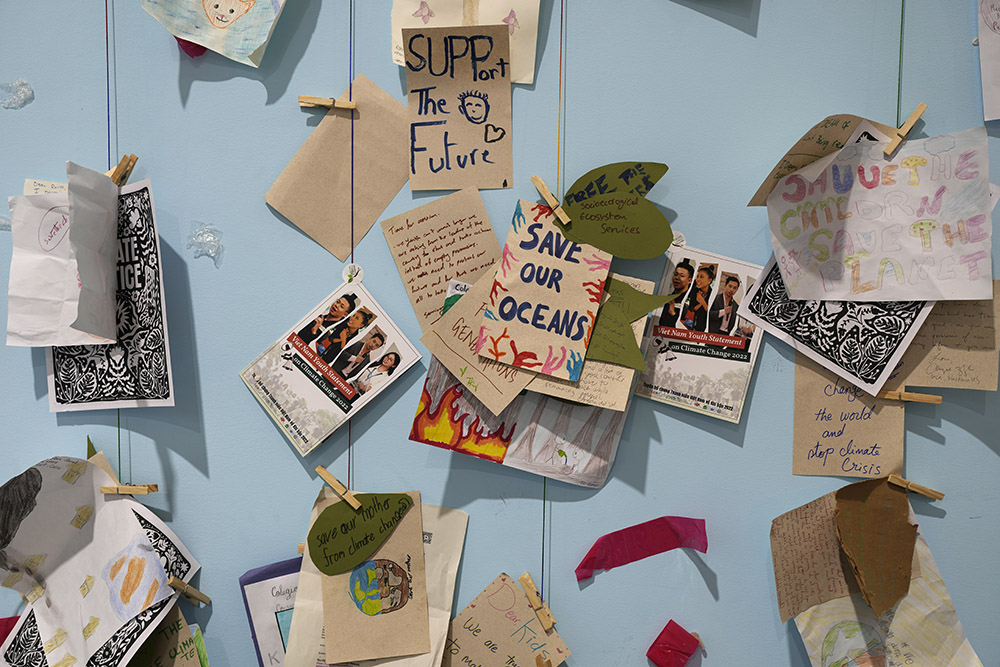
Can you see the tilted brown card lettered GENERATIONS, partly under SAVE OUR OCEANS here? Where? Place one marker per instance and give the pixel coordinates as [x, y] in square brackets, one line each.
[453, 340]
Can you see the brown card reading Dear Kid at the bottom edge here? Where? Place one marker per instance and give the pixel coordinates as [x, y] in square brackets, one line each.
[499, 628]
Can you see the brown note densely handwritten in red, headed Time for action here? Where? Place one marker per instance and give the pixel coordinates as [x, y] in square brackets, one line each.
[450, 238]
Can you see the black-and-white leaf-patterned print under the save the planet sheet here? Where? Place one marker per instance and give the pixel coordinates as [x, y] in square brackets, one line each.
[860, 342]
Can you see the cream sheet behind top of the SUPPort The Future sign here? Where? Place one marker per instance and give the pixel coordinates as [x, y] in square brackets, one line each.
[520, 17]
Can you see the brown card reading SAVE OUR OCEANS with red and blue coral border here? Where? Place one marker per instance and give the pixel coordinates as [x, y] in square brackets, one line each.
[544, 298]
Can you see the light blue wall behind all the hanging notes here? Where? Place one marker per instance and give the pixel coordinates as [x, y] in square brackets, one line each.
[716, 89]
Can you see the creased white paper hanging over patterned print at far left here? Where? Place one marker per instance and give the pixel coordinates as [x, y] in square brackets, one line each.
[59, 292]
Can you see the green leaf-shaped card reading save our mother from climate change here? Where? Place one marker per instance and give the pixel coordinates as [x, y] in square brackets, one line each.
[342, 538]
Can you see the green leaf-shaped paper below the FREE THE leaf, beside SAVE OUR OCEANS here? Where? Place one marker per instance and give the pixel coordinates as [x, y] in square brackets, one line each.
[612, 339]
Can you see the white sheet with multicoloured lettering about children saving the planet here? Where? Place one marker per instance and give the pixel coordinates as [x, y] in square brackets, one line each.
[854, 226]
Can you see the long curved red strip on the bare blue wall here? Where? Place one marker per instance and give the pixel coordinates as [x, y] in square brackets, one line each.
[642, 541]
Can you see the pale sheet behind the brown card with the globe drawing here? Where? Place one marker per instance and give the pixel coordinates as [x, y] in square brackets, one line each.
[444, 539]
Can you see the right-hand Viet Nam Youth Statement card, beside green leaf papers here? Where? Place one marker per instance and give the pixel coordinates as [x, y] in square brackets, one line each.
[700, 354]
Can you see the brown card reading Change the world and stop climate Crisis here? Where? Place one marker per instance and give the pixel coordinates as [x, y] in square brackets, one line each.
[842, 430]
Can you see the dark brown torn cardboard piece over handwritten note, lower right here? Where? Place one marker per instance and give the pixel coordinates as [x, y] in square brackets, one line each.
[874, 530]
